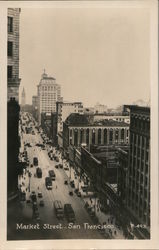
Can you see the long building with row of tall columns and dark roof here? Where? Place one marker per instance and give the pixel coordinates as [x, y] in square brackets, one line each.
[80, 129]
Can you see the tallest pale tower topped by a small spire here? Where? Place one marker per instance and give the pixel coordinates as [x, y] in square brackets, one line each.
[49, 92]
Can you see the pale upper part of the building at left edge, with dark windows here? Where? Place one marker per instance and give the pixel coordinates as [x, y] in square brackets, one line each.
[13, 53]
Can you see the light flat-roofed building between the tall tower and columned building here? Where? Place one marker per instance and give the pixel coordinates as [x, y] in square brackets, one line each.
[64, 109]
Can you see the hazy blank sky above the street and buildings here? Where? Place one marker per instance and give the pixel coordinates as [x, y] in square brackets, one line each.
[96, 55]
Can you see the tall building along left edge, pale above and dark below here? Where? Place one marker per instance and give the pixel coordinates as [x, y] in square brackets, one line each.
[13, 141]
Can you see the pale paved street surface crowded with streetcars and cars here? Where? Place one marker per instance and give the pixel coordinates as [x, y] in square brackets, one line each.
[59, 191]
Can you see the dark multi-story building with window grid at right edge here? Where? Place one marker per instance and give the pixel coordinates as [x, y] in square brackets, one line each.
[138, 178]
